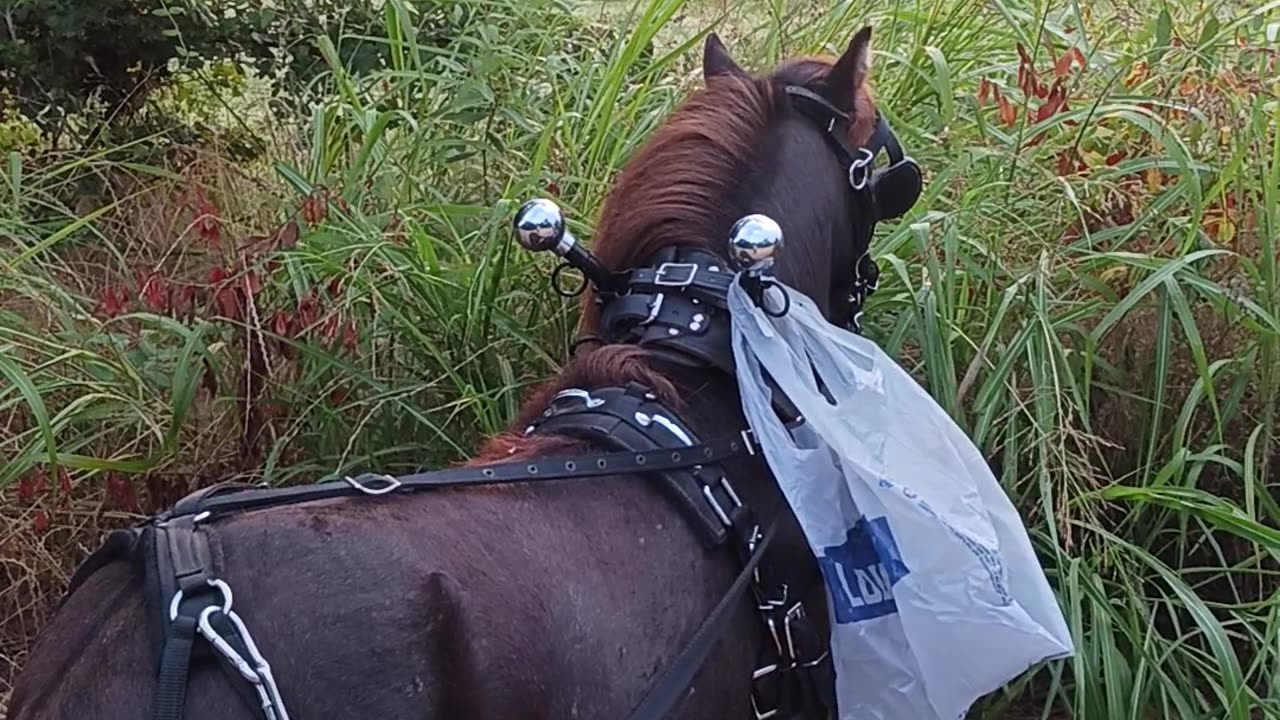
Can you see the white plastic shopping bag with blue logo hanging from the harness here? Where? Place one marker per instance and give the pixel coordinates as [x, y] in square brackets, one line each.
[935, 591]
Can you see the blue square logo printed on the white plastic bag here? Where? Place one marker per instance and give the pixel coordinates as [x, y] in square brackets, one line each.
[861, 572]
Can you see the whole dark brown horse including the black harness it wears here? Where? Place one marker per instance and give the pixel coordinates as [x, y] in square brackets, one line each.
[619, 553]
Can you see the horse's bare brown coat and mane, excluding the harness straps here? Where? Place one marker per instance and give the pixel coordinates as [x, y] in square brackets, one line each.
[563, 599]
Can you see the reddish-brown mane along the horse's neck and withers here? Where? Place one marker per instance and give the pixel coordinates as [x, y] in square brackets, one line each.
[679, 189]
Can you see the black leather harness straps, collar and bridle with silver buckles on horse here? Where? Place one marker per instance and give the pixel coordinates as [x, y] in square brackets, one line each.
[678, 309]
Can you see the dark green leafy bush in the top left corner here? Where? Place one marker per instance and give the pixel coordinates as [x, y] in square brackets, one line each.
[65, 58]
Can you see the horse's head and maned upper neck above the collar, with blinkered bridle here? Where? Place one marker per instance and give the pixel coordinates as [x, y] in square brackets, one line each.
[798, 145]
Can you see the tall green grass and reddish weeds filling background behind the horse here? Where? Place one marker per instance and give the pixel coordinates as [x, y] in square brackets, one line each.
[269, 243]
